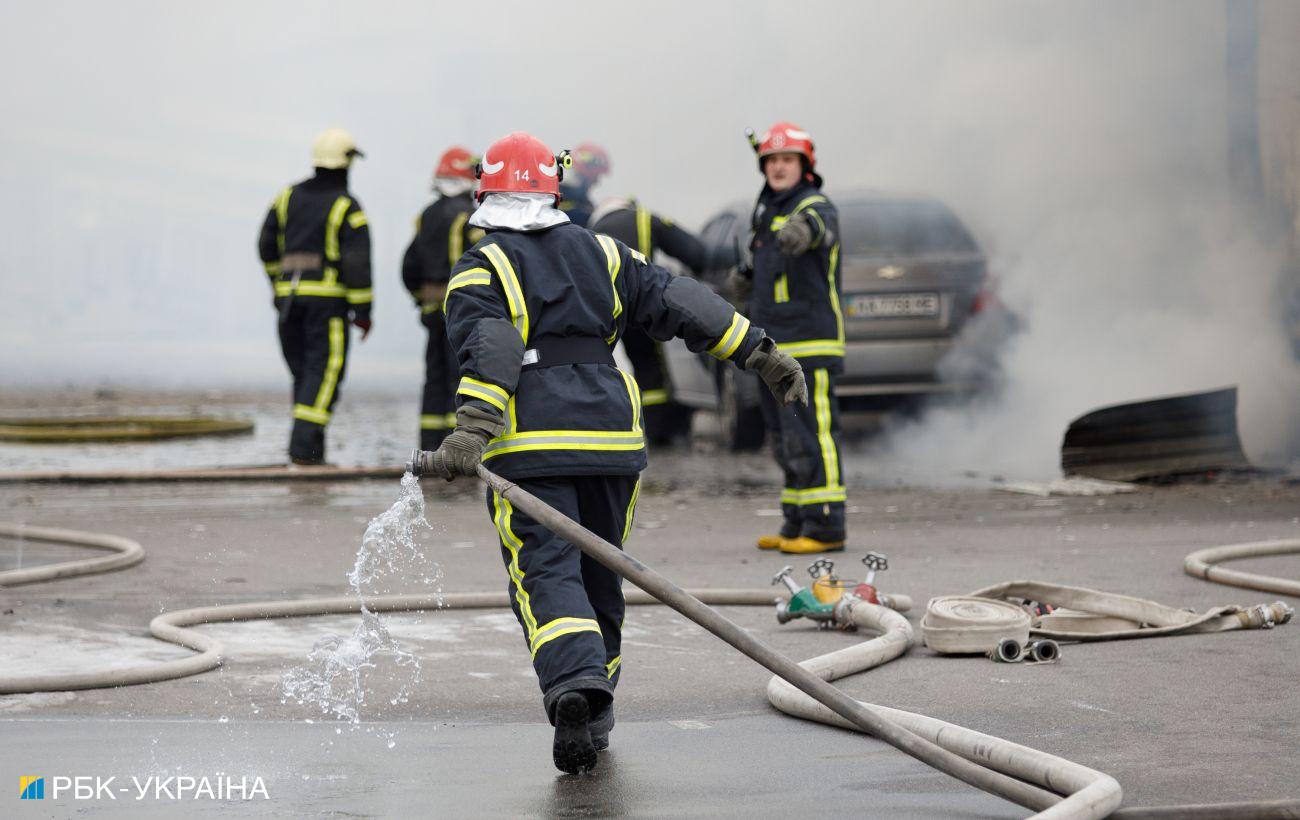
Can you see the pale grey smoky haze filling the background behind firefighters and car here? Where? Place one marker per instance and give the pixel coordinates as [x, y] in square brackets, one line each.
[1084, 142]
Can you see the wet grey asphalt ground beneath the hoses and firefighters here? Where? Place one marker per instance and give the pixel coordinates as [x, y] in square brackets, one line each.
[1210, 718]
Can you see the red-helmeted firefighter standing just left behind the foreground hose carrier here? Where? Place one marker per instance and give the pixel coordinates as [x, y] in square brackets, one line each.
[443, 233]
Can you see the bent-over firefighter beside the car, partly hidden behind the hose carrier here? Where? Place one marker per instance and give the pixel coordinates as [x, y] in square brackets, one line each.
[636, 227]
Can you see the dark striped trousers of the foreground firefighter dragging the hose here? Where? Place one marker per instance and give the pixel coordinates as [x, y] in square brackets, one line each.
[570, 606]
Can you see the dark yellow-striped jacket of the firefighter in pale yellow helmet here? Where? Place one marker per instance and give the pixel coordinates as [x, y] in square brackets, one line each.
[317, 232]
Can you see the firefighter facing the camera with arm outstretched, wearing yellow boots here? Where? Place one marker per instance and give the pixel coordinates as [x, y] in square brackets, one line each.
[794, 290]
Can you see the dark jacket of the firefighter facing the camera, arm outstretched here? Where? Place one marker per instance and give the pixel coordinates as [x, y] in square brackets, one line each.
[798, 298]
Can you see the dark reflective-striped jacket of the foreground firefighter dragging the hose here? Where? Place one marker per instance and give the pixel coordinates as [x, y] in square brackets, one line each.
[534, 319]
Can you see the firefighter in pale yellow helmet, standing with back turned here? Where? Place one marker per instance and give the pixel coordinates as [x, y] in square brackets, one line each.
[315, 246]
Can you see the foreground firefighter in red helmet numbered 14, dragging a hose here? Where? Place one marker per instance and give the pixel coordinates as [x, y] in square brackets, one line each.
[534, 314]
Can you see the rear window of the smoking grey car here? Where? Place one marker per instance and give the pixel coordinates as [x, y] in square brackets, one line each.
[903, 228]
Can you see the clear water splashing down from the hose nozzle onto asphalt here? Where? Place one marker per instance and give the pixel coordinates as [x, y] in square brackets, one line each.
[335, 682]
